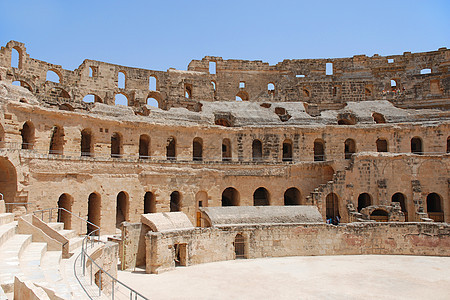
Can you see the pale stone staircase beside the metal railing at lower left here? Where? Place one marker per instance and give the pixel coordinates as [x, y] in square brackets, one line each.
[31, 261]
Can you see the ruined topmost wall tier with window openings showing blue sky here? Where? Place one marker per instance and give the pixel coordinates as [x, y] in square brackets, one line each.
[396, 78]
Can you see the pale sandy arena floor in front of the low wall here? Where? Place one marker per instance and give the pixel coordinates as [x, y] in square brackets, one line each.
[312, 277]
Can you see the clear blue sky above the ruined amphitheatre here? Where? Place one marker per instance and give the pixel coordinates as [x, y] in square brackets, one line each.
[163, 34]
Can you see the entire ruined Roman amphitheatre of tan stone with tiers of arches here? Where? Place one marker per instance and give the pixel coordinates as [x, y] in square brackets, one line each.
[227, 159]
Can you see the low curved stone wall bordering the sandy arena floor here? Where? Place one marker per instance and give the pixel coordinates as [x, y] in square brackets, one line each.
[201, 245]
